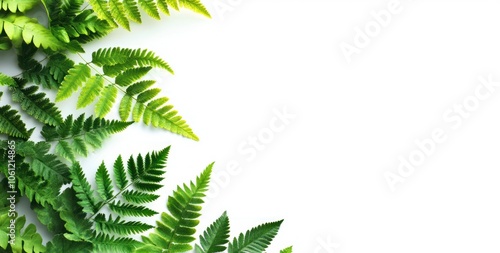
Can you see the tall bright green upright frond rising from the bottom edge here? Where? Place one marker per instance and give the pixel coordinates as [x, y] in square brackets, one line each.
[175, 230]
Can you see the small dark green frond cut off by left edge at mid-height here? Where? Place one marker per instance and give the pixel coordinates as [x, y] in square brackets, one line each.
[11, 123]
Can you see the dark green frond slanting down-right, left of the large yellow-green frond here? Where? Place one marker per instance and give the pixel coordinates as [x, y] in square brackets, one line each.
[35, 103]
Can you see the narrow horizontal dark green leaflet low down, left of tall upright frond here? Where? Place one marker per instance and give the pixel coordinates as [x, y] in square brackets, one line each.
[118, 226]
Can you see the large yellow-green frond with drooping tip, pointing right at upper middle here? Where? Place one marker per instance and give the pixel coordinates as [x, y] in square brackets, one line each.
[140, 101]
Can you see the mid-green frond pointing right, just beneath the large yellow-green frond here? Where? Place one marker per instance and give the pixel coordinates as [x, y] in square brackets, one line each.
[81, 135]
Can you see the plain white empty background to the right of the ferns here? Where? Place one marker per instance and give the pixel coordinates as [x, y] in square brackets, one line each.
[324, 172]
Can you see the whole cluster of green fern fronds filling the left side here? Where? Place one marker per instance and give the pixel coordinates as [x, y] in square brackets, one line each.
[104, 218]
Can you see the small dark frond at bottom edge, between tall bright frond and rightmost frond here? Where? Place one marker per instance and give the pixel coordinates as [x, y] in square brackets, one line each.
[215, 238]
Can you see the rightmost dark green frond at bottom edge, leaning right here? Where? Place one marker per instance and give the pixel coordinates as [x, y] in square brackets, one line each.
[255, 240]
